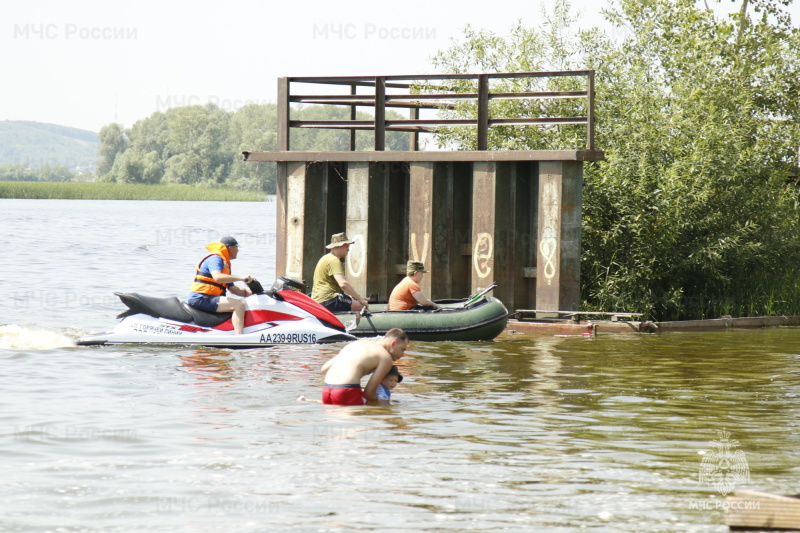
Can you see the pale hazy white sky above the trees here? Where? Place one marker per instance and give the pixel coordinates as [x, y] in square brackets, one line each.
[86, 63]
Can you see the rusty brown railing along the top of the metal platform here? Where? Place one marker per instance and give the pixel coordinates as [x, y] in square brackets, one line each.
[402, 92]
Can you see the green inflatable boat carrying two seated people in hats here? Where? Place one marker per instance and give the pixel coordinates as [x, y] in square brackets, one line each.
[480, 318]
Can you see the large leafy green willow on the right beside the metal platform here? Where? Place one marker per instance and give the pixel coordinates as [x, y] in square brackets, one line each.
[693, 212]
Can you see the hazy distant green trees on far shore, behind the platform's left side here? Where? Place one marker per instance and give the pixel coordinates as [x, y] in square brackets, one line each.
[203, 145]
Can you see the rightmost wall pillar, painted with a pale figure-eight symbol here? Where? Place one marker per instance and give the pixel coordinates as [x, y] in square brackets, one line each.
[559, 236]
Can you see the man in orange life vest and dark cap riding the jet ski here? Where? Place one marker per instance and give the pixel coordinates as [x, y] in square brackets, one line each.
[214, 278]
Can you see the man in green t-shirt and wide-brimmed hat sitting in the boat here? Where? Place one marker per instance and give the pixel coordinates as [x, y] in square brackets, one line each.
[331, 288]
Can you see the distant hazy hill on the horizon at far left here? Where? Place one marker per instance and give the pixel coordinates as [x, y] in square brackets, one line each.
[36, 144]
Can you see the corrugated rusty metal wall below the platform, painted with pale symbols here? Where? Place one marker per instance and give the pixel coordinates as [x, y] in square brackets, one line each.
[516, 223]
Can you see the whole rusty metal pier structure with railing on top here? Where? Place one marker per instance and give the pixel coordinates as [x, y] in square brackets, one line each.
[473, 217]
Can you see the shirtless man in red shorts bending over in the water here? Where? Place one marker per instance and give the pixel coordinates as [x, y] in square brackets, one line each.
[343, 373]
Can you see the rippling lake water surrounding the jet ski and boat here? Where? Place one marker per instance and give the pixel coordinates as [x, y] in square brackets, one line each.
[524, 434]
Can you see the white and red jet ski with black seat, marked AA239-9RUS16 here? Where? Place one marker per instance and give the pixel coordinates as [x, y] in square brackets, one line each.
[279, 316]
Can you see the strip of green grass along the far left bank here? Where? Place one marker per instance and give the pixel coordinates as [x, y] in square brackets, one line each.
[41, 190]
